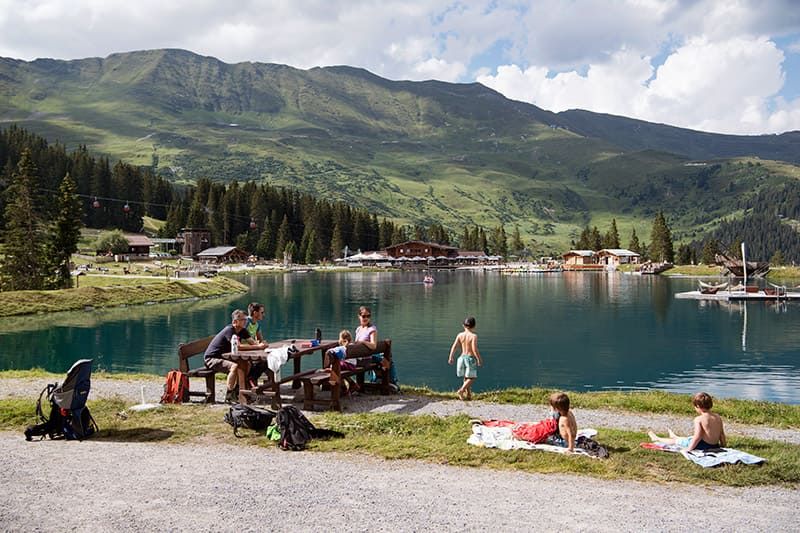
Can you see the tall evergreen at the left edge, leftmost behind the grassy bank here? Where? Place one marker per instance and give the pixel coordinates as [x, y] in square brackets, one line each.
[22, 266]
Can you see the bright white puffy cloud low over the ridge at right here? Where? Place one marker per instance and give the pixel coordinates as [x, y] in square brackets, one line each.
[728, 86]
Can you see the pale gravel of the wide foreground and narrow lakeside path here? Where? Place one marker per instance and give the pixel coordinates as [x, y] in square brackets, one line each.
[139, 486]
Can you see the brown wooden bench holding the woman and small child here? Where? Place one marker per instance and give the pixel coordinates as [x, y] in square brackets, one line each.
[334, 376]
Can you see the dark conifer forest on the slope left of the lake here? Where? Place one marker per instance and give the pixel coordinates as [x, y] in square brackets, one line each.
[268, 221]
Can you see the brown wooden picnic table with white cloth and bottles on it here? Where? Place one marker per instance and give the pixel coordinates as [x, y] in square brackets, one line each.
[304, 347]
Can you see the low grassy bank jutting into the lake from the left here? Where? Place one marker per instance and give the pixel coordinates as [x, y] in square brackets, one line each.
[112, 292]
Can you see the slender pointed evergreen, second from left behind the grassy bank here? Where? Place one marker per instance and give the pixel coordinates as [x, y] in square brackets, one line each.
[65, 233]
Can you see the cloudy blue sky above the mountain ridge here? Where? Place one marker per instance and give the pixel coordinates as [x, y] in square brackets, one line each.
[723, 66]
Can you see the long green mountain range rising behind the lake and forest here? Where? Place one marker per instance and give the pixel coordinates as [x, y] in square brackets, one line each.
[419, 152]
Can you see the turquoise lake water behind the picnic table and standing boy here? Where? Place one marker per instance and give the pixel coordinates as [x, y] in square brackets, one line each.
[577, 331]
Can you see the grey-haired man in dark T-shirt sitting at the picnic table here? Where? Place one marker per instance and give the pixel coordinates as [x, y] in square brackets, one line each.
[221, 344]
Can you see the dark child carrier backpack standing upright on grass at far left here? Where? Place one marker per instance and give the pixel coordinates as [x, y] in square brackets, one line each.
[68, 417]
